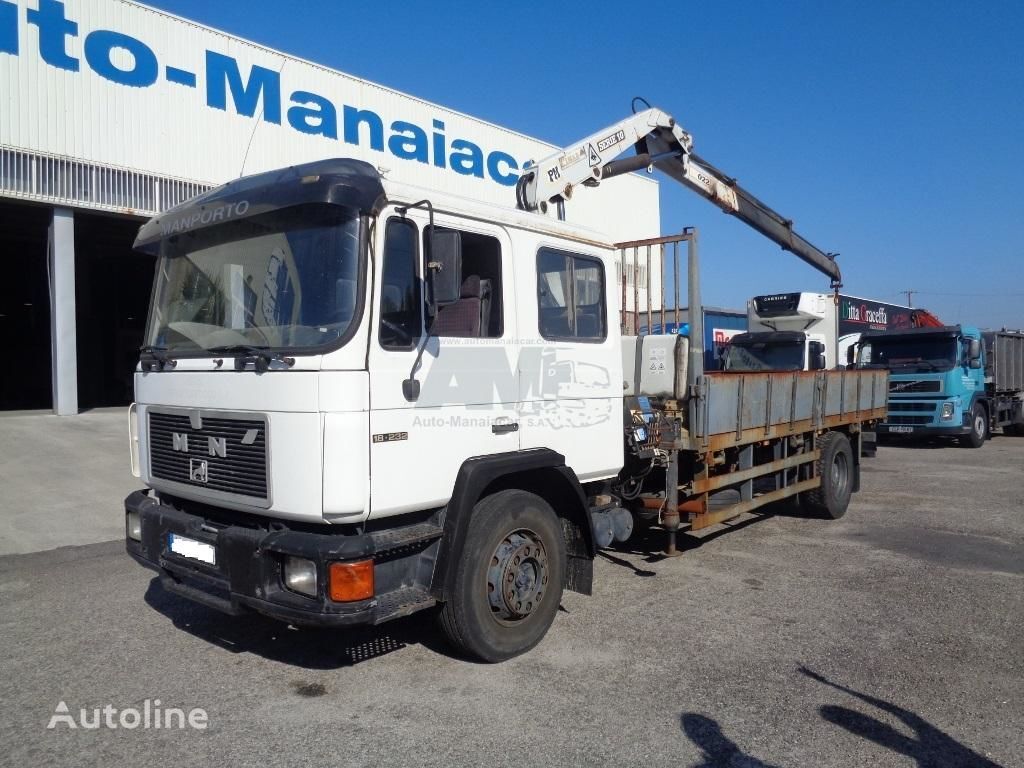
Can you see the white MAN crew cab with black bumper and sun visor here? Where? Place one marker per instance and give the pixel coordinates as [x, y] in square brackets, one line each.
[332, 364]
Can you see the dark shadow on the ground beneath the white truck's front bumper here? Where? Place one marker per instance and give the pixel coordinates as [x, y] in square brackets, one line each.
[312, 649]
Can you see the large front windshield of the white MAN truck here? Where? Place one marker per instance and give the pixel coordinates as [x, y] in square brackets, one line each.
[286, 280]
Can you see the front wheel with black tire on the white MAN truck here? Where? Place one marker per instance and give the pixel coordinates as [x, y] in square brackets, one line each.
[508, 584]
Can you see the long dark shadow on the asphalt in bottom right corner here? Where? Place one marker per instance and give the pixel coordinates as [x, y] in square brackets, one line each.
[930, 747]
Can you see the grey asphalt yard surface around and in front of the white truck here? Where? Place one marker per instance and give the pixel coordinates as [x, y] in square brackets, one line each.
[892, 637]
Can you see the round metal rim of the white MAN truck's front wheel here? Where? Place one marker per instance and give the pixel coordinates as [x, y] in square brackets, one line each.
[518, 579]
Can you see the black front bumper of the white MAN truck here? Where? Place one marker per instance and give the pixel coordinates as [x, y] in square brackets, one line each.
[248, 574]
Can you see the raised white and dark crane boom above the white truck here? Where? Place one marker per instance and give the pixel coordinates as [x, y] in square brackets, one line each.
[661, 143]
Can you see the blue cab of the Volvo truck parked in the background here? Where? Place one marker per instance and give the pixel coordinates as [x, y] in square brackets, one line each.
[936, 381]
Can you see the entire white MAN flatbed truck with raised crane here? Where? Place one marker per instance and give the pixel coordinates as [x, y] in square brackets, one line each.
[360, 400]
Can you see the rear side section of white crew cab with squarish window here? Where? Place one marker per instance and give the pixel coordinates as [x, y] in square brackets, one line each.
[571, 374]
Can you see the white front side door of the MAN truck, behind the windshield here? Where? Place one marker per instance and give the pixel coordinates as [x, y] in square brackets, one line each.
[466, 375]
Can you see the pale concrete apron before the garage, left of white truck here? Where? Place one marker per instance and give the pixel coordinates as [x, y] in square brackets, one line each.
[64, 480]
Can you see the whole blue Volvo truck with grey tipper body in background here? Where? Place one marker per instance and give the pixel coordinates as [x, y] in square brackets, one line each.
[950, 381]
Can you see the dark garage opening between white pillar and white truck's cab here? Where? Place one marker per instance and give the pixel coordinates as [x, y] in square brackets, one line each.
[112, 291]
